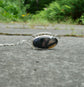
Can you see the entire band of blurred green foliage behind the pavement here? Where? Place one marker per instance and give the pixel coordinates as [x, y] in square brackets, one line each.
[51, 10]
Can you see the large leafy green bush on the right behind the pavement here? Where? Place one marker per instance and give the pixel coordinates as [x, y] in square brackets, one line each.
[61, 10]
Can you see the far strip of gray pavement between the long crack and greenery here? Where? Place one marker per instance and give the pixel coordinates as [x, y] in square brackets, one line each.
[60, 29]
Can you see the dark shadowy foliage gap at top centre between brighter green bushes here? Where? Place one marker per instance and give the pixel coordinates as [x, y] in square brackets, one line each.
[36, 5]
